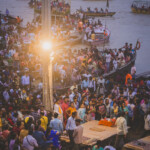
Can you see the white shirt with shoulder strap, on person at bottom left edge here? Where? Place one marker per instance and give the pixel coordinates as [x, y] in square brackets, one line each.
[28, 143]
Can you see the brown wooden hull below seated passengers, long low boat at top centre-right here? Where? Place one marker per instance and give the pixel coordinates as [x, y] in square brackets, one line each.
[99, 14]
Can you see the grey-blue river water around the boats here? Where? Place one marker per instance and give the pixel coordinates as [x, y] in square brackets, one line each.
[125, 26]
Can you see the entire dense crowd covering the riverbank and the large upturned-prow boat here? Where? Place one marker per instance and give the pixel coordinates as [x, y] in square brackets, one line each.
[24, 122]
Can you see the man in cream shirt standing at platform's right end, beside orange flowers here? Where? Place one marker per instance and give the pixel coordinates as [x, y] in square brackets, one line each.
[122, 131]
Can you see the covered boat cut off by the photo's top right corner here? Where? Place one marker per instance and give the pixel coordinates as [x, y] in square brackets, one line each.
[141, 7]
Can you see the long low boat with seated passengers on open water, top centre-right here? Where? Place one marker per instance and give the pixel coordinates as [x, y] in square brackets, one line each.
[96, 12]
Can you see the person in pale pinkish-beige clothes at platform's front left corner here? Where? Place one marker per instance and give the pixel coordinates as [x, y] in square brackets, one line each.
[77, 135]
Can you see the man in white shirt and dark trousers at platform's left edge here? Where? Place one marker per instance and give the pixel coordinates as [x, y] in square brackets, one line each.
[70, 127]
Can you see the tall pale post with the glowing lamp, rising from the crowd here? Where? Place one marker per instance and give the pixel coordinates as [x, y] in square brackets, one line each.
[47, 61]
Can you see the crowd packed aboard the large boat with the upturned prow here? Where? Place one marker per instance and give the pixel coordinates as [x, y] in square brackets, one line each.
[80, 65]
